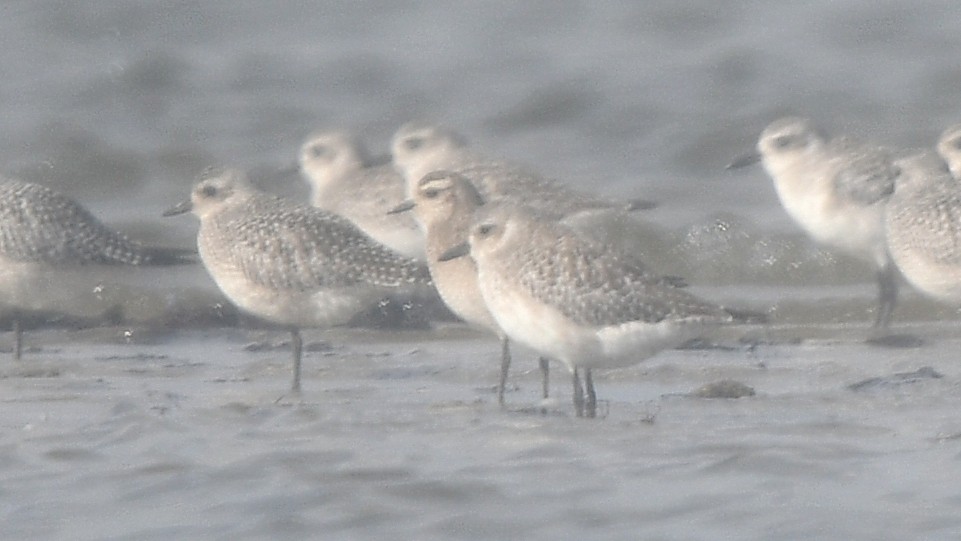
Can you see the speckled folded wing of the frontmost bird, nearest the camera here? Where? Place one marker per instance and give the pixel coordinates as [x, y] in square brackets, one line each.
[598, 288]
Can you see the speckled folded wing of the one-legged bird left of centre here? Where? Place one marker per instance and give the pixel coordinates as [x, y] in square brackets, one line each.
[298, 247]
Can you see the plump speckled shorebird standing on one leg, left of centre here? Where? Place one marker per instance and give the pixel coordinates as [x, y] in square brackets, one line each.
[287, 263]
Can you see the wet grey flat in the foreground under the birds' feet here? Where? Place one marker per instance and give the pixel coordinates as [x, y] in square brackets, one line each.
[189, 434]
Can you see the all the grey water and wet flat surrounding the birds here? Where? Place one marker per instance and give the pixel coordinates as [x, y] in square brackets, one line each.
[159, 432]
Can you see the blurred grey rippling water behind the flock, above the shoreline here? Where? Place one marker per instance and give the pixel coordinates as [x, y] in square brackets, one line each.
[122, 104]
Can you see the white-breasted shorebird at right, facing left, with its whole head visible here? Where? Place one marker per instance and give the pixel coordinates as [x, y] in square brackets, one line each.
[836, 190]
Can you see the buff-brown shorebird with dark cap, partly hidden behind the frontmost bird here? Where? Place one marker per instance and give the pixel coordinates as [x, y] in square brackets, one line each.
[444, 204]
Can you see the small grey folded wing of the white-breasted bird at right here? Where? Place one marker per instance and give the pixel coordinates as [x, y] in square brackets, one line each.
[866, 174]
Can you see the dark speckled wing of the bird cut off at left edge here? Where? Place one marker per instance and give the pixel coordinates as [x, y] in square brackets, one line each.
[39, 224]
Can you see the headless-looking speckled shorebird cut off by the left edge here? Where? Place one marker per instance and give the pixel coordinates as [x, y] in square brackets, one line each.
[51, 248]
